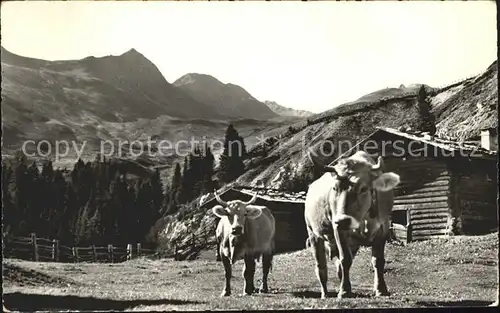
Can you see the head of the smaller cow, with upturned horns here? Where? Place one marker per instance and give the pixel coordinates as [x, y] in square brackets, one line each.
[236, 212]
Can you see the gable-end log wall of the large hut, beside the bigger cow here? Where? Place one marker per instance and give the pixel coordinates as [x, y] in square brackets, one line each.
[425, 186]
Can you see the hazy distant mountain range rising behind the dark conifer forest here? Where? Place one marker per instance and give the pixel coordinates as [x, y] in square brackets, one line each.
[119, 97]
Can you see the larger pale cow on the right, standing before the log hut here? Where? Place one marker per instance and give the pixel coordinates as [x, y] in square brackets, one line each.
[347, 207]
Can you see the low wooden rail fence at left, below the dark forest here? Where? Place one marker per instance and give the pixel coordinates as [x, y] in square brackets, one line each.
[42, 249]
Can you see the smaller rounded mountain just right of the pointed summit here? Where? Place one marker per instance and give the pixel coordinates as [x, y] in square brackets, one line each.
[227, 99]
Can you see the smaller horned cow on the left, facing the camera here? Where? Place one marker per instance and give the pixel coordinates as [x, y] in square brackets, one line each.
[245, 231]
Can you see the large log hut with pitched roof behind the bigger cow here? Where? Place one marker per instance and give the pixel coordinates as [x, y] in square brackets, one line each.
[446, 187]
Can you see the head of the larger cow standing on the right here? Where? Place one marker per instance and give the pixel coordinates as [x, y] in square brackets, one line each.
[353, 181]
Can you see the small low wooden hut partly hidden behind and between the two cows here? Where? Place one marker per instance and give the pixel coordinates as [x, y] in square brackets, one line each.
[287, 208]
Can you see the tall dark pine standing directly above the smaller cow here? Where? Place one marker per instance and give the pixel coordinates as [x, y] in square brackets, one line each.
[231, 160]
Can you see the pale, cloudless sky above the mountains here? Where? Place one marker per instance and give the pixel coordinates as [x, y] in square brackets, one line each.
[304, 55]
